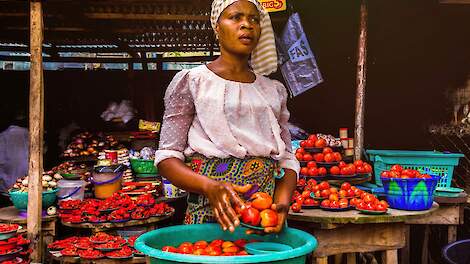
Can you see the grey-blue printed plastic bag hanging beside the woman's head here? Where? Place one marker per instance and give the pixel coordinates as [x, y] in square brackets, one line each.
[298, 65]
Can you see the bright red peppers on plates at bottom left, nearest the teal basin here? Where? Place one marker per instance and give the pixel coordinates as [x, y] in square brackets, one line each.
[97, 246]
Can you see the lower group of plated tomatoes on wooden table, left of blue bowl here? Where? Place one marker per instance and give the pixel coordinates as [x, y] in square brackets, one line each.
[310, 194]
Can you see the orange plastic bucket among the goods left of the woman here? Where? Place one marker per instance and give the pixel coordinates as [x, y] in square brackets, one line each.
[107, 180]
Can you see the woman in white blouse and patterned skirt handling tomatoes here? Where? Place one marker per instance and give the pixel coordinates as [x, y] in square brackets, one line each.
[229, 121]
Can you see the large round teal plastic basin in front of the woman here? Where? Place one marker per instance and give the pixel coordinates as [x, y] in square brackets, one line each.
[150, 243]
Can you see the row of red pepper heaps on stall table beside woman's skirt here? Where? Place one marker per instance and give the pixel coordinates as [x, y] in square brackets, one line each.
[118, 208]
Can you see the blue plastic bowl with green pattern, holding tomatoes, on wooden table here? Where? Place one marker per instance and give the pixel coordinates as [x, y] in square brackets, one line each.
[410, 194]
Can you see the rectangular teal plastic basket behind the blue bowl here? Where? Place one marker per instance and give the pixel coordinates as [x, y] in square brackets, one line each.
[431, 162]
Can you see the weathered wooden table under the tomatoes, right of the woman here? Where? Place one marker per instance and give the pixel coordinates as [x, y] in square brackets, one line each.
[351, 231]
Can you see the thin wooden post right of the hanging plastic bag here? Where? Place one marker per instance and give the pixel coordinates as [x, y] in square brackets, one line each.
[361, 83]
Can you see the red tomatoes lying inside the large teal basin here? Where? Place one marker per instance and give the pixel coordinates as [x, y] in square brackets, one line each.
[216, 247]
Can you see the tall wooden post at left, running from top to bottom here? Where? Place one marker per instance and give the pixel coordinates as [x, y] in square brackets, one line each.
[36, 130]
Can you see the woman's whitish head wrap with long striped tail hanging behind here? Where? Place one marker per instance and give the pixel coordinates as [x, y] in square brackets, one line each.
[264, 56]
